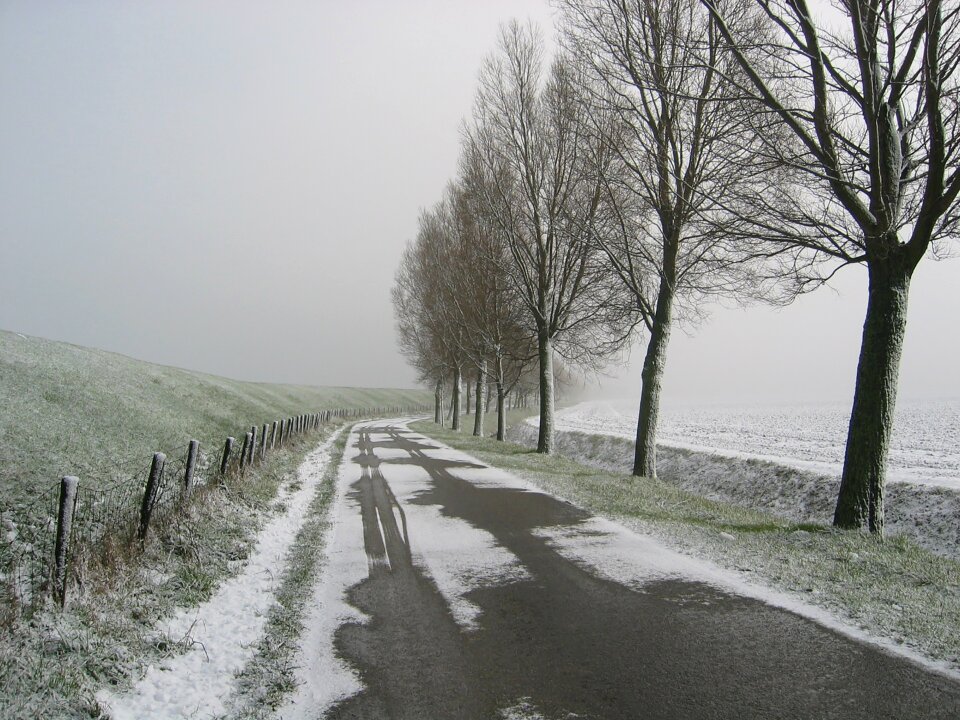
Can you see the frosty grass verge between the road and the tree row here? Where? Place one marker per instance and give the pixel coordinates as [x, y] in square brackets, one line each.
[894, 590]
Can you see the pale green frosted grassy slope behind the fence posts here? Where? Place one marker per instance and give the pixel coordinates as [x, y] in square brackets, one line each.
[77, 410]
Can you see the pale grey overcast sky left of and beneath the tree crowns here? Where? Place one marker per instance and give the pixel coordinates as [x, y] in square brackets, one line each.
[228, 186]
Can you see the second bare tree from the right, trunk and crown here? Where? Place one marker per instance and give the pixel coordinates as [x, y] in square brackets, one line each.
[675, 148]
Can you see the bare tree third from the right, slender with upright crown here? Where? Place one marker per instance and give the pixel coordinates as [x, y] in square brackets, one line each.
[528, 137]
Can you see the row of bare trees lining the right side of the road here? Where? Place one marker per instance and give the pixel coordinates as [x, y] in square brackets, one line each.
[681, 150]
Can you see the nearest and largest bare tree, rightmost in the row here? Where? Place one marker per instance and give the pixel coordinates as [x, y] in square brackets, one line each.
[871, 102]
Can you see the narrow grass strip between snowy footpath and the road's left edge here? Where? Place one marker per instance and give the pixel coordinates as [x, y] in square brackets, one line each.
[271, 675]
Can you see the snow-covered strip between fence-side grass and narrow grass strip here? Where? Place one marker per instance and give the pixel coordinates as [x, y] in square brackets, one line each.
[224, 631]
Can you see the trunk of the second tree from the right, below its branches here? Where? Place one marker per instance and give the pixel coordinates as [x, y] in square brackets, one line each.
[645, 452]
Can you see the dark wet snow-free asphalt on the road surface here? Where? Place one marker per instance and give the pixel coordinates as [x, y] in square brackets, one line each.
[567, 643]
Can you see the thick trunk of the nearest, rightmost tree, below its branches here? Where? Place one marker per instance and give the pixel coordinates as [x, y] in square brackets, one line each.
[860, 501]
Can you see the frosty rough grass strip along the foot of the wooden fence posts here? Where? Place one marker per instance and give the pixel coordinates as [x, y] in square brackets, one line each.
[53, 664]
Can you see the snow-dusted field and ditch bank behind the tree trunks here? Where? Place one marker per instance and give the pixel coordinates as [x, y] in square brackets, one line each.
[767, 459]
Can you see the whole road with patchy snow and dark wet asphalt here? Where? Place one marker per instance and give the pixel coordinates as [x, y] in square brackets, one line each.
[455, 590]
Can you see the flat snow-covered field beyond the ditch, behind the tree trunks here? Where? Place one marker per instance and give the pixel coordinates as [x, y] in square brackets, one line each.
[925, 447]
